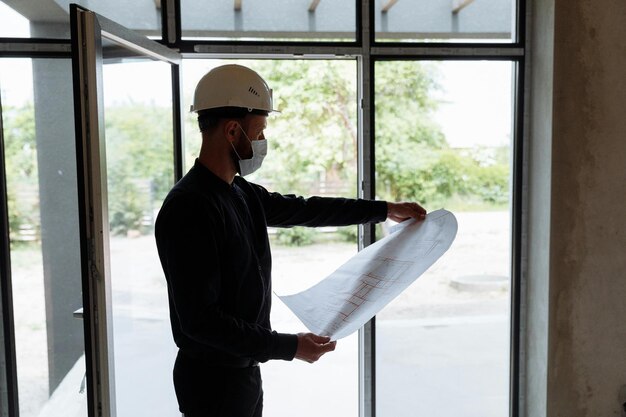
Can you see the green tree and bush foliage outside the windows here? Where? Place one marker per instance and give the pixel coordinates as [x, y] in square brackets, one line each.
[312, 141]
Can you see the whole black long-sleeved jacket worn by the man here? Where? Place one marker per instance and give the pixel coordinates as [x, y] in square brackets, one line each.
[213, 245]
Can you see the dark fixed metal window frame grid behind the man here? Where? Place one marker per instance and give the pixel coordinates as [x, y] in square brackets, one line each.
[367, 51]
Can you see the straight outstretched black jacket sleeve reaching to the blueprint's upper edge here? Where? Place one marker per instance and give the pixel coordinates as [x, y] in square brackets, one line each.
[290, 210]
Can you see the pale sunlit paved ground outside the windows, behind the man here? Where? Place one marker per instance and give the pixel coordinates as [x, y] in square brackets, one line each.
[440, 352]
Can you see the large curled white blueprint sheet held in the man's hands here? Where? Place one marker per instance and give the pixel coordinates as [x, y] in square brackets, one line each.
[348, 298]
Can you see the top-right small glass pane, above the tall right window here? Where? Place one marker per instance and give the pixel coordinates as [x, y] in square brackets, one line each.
[445, 21]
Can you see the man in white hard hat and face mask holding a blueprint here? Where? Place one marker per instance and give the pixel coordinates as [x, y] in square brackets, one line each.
[212, 240]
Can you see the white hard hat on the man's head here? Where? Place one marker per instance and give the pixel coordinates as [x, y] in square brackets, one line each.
[232, 86]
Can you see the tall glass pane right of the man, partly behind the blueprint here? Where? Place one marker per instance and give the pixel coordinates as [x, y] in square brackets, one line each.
[447, 336]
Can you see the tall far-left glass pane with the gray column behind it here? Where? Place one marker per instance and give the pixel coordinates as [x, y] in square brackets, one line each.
[45, 250]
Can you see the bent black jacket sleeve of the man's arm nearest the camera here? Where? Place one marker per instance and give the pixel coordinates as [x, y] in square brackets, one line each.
[187, 241]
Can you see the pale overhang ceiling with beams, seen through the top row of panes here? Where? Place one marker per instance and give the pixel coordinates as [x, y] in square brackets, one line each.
[293, 18]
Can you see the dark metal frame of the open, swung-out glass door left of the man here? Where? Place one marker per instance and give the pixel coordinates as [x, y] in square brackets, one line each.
[96, 284]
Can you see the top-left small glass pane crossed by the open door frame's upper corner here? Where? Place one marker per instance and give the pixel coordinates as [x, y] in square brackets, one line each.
[50, 18]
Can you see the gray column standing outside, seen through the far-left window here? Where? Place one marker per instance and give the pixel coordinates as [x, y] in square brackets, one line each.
[56, 162]
